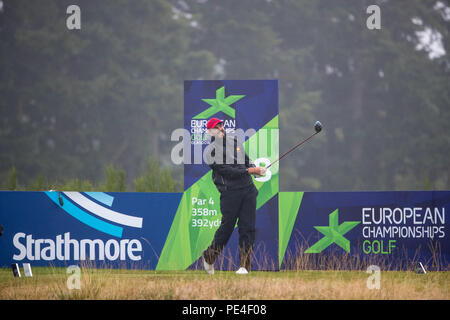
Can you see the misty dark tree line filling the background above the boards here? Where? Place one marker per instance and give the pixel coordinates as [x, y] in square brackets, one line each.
[93, 109]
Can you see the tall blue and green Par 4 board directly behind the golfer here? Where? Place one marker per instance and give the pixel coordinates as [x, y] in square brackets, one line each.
[249, 111]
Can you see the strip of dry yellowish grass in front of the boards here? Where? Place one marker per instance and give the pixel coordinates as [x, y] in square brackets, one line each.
[50, 283]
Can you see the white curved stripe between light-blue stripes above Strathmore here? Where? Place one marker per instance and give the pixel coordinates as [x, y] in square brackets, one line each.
[103, 212]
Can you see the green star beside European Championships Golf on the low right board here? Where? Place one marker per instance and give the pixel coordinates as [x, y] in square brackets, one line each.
[334, 233]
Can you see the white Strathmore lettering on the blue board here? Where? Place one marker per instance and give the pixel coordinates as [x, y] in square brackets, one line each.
[65, 248]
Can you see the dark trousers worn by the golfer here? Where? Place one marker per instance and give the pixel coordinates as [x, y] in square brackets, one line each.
[236, 205]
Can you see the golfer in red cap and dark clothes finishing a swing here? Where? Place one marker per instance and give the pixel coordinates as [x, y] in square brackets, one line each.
[231, 174]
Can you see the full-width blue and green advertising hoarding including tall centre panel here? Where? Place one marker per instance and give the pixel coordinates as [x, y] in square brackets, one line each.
[169, 231]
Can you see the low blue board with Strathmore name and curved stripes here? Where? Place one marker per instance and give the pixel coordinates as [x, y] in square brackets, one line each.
[62, 229]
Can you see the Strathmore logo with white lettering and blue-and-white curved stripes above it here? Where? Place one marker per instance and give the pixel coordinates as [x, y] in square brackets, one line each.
[87, 209]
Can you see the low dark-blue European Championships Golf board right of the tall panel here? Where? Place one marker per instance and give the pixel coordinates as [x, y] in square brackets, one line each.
[393, 228]
